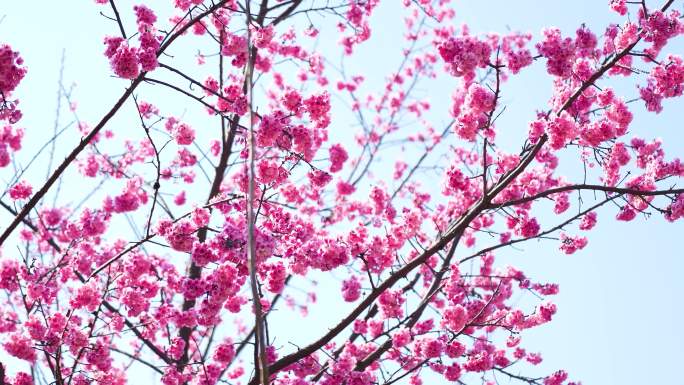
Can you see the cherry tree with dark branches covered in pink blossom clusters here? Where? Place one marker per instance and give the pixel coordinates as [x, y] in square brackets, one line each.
[236, 208]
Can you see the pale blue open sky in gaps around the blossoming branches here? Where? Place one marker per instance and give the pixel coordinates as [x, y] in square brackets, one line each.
[620, 303]
